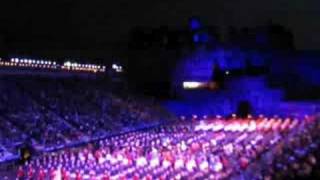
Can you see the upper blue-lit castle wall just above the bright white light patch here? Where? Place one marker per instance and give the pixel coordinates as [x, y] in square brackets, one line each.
[199, 65]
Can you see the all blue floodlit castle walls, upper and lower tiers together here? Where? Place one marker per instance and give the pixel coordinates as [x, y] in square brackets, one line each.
[255, 90]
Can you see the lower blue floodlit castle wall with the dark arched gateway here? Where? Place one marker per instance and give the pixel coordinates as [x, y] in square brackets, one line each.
[263, 100]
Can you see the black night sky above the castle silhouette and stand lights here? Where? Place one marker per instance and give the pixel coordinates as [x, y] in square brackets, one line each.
[94, 23]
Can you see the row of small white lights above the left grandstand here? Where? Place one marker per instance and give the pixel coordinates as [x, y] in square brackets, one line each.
[53, 65]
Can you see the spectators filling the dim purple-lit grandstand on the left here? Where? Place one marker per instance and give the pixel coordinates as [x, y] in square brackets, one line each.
[49, 113]
